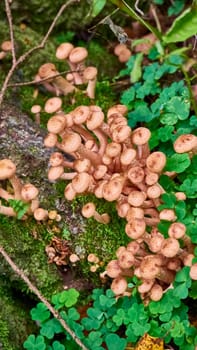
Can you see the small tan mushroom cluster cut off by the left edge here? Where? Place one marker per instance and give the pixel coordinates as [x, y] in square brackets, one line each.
[27, 193]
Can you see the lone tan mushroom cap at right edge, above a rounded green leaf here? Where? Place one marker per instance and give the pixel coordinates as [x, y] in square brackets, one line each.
[185, 143]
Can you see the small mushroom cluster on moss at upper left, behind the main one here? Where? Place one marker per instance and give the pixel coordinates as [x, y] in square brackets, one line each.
[79, 74]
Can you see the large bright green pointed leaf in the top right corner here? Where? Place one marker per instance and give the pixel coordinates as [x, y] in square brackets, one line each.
[183, 27]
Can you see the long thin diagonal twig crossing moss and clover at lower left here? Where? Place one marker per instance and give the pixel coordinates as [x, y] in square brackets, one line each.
[54, 312]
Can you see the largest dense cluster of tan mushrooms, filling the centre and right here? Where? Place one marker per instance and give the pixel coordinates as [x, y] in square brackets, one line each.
[114, 162]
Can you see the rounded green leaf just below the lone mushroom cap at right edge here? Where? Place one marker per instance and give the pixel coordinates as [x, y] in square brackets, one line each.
[178, 163]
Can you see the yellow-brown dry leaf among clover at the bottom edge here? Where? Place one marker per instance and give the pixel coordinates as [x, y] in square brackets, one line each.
[149, 343]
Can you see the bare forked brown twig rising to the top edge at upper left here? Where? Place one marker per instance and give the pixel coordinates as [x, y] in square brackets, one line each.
[28, 53]
